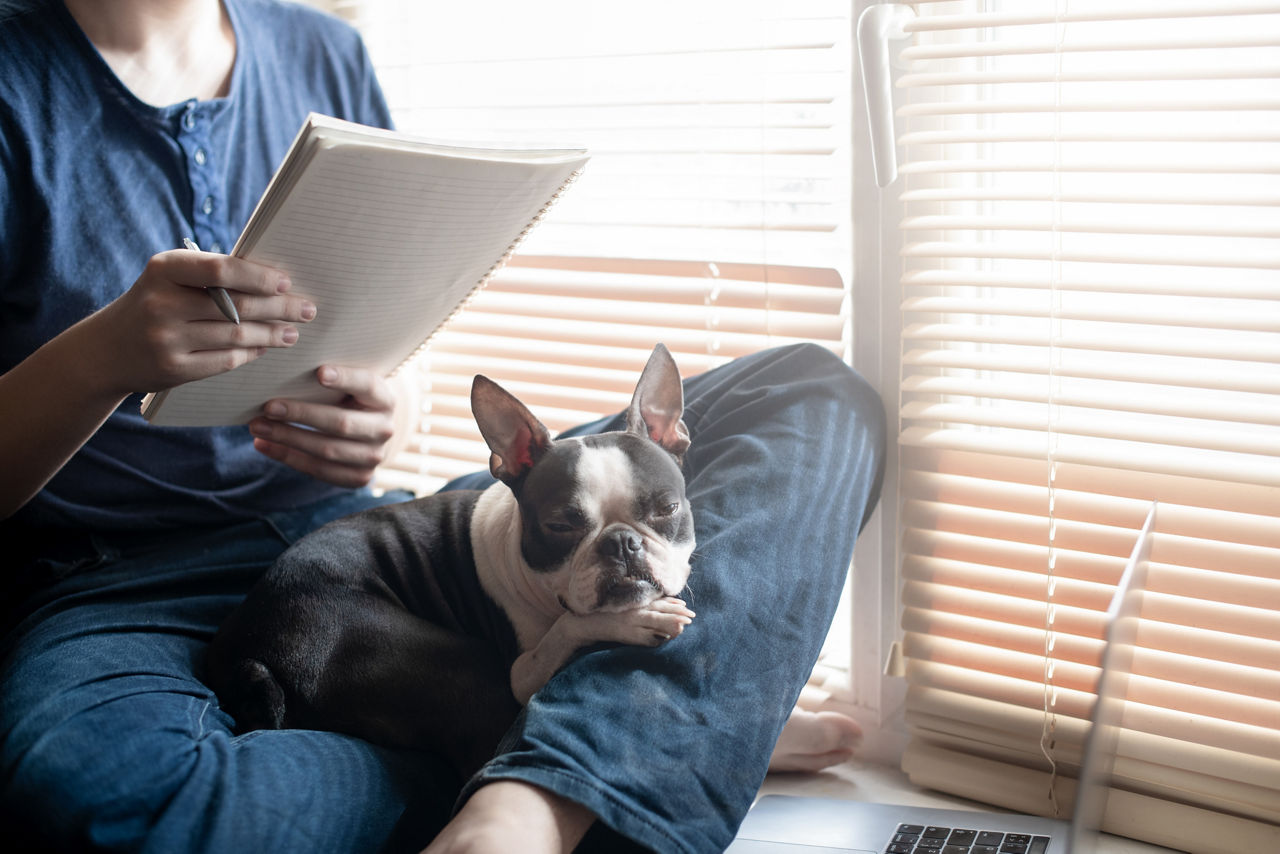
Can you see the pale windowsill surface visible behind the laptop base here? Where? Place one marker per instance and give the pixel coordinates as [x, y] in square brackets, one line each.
[861, 780]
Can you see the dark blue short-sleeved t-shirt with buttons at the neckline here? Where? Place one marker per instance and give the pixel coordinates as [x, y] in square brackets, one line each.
[94, 182]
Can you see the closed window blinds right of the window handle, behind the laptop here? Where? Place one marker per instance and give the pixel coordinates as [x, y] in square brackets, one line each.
[1091, 321]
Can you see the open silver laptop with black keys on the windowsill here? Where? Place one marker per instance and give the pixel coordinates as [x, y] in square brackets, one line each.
[790, 825]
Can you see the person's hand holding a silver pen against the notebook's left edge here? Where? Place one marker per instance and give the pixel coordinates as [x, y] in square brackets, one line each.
[166, 330]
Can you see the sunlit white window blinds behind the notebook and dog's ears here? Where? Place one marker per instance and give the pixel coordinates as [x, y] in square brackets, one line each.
[715, 216]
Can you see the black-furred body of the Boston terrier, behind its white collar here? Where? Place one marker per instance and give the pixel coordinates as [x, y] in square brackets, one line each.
[376, 625]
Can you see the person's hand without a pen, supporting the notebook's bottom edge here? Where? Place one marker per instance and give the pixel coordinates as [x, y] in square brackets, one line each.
[341, 444]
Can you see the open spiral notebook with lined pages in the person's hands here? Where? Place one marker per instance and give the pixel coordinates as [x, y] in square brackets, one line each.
[390, 236]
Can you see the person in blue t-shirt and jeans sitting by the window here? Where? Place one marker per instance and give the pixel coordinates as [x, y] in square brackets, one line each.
[127, 126]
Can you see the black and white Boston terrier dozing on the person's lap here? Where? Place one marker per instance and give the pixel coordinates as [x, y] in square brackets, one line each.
[424, 624]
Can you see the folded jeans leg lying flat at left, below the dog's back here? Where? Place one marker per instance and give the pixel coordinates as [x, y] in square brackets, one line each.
[109, 739]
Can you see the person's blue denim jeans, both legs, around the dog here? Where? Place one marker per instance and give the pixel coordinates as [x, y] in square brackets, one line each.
[108, 737]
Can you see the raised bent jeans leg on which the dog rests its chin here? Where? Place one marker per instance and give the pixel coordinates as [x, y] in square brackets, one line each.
[670, 747]
